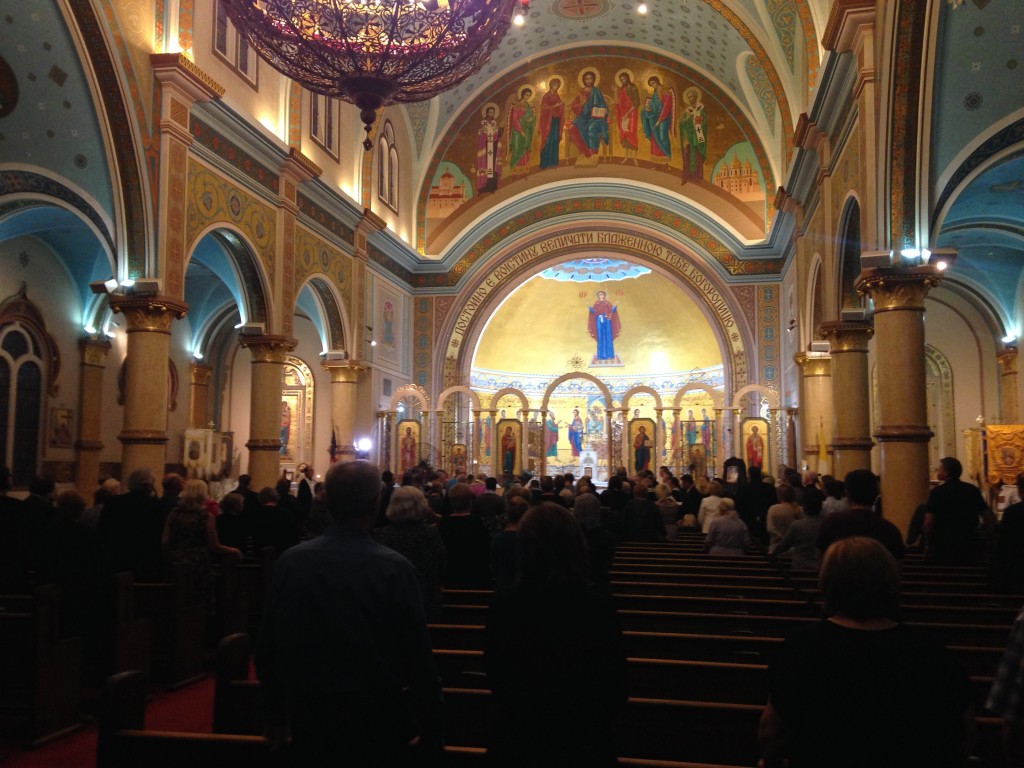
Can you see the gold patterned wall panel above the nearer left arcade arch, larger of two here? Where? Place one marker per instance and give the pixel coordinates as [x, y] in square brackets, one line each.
[212, 200]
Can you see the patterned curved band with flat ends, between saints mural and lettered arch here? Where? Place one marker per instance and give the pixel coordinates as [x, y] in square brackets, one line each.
[685, 227]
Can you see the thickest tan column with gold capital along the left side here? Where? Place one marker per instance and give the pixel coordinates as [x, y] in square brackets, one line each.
[144, 438]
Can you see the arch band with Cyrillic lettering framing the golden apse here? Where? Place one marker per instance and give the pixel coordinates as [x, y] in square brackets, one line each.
[498, 279]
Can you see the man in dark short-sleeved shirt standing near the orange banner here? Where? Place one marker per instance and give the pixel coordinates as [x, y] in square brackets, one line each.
[955, 510]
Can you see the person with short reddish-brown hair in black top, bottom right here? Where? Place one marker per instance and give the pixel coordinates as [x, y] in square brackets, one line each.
[860, 690]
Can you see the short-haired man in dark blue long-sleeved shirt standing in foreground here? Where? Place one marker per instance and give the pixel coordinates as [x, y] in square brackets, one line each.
[345, 656]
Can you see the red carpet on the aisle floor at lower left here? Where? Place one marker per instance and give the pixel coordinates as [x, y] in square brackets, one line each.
[188, 710]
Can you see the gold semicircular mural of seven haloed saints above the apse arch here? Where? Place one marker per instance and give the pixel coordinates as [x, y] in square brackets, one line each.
[617, 115]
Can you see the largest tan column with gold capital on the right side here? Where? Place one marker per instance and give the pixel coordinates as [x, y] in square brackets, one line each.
[904, 433]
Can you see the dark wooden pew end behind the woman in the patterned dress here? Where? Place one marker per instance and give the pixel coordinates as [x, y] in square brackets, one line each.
[179, 618]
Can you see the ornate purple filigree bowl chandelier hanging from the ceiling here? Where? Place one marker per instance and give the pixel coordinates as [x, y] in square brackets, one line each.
[374, 53]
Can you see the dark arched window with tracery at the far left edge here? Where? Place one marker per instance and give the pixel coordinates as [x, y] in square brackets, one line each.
[22, 368]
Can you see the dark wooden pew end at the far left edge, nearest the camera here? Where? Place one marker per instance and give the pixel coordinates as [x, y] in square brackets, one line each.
[40, 673]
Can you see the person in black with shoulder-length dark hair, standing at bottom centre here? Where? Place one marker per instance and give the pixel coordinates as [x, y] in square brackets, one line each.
[554, 655]
